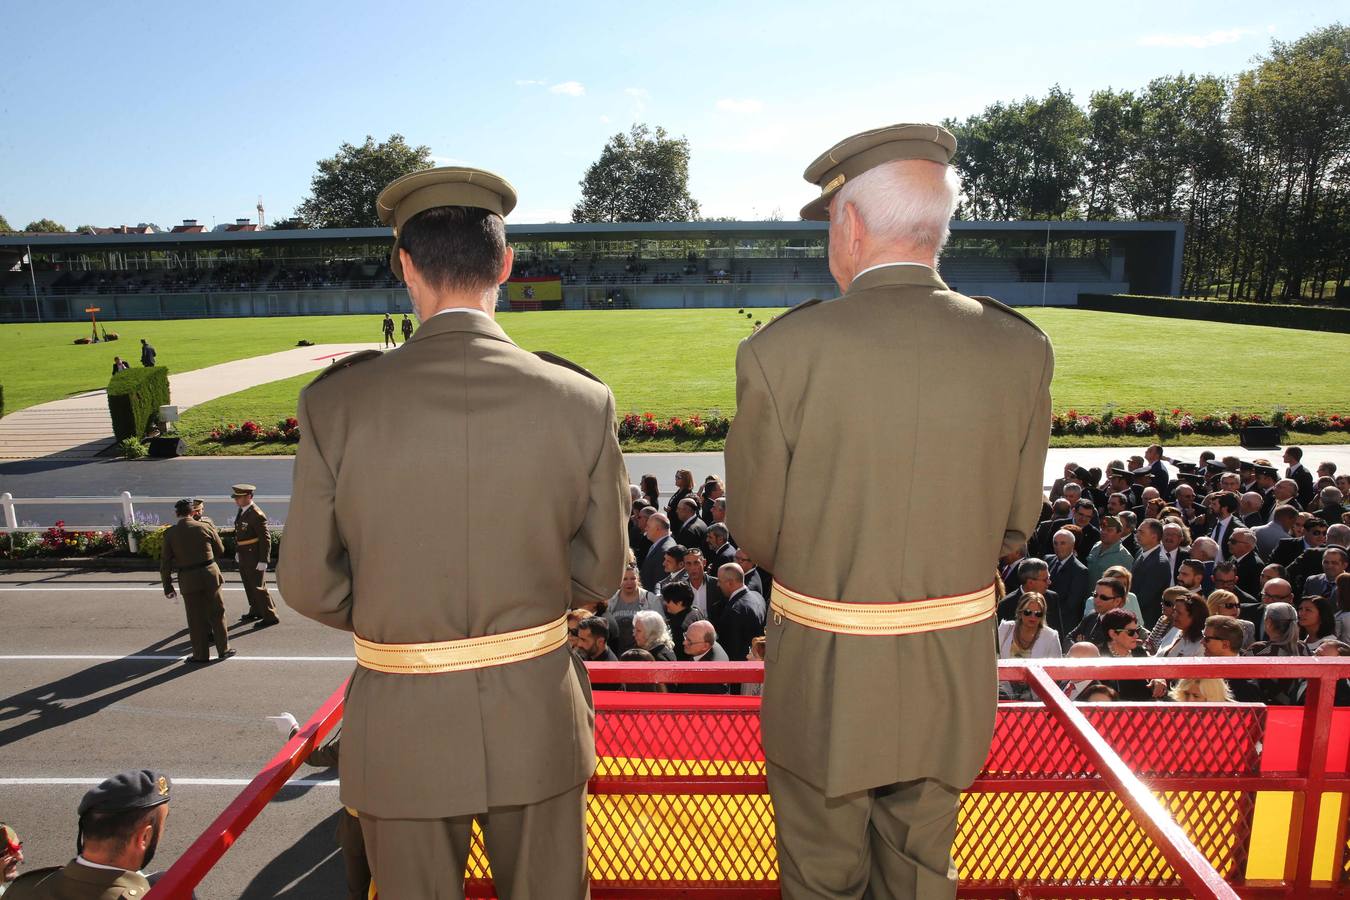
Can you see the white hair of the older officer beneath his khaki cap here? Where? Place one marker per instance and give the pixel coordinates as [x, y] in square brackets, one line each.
[904, 202]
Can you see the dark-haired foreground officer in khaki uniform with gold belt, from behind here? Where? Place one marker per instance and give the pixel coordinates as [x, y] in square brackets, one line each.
[466, 701]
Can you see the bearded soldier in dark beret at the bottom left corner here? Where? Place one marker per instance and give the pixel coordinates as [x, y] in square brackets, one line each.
[121, 825]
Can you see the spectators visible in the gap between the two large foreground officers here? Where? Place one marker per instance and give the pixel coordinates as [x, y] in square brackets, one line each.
[688, 593]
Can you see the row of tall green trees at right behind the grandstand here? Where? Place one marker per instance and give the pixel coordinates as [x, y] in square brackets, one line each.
[1258, 167]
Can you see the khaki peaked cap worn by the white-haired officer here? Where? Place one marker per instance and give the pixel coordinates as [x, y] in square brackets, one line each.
[851, 157]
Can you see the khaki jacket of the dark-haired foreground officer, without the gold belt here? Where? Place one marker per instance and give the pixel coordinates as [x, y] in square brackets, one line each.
[456, 488]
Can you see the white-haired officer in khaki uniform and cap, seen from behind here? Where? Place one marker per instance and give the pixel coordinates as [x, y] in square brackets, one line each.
[859, 423]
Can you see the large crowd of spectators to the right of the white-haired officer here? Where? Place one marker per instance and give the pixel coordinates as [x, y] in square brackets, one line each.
[1224, 558]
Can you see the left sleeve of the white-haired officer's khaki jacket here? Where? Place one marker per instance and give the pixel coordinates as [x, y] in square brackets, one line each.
[757, 462]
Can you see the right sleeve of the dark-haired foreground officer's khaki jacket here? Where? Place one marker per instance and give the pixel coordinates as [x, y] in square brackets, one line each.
[599, 547]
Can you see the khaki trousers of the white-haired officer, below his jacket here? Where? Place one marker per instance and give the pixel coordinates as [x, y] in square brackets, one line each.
[886, 843]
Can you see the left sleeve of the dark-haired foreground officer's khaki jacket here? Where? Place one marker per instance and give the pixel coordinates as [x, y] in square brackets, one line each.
[315, 571]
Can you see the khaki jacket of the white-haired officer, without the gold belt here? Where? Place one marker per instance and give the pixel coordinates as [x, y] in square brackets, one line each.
[889, 446]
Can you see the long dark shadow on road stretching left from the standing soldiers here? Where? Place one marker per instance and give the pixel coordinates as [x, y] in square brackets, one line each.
[92, 690]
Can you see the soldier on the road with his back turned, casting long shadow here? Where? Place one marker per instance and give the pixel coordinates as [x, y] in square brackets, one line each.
[192, 549]
